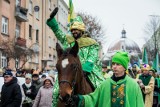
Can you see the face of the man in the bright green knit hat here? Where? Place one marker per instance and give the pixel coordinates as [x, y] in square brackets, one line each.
[118, 69]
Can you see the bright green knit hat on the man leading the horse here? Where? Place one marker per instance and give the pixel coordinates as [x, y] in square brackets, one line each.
[122, 58]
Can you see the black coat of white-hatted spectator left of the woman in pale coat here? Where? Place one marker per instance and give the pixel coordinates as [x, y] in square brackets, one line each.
[33, 92]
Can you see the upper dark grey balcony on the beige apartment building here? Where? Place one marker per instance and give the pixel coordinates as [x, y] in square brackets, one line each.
[21, 14]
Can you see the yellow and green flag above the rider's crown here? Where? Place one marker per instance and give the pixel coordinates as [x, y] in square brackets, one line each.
[71, 14]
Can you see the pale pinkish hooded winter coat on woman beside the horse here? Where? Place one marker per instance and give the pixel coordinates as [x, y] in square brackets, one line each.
[44, 96]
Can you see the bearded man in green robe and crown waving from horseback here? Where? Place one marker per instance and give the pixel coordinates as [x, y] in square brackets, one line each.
[88, 50]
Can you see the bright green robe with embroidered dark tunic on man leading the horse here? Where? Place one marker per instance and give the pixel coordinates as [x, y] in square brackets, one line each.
[127, 94]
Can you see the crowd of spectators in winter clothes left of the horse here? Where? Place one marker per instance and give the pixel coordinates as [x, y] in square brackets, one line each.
[36, 91]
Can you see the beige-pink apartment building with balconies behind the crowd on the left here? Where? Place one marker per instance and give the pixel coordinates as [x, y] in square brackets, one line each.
[25, 27]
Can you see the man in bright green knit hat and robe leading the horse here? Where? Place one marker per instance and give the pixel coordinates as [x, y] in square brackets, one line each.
[118, 91]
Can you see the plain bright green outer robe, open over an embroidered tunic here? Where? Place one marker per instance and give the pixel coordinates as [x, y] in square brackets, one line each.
[101, 97]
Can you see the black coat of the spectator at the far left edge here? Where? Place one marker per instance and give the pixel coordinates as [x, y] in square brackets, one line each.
[11, 95]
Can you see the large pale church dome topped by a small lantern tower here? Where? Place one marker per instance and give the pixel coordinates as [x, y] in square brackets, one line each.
[124, 44]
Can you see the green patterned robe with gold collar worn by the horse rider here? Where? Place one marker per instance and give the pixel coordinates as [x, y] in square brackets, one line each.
[88, 52]
